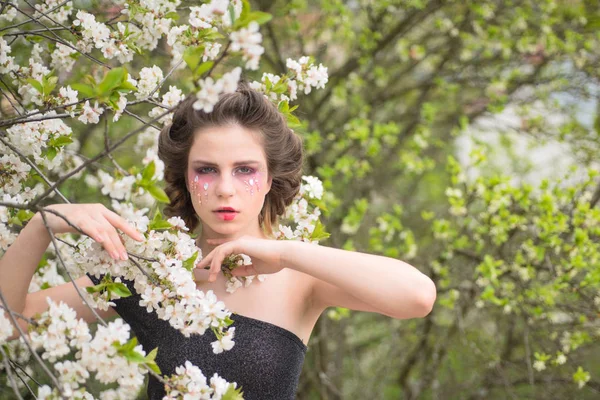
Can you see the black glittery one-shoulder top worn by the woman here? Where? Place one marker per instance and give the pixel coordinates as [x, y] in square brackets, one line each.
[265, 361]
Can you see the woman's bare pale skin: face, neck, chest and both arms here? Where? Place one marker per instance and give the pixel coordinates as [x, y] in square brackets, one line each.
[303, 279]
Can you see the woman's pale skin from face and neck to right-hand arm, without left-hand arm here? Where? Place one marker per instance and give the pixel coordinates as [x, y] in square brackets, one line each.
[303, 279]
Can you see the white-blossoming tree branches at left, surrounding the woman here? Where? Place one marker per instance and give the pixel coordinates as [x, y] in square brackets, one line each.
[71, 76]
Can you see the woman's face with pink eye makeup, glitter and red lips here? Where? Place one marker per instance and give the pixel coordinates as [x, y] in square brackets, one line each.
[227, 168]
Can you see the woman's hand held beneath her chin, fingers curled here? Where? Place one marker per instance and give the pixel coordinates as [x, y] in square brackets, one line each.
[264, 253]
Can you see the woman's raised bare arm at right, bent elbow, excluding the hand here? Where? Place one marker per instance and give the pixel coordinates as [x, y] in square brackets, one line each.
[361, 281]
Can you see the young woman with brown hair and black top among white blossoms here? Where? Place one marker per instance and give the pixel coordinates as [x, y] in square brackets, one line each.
[241, 157]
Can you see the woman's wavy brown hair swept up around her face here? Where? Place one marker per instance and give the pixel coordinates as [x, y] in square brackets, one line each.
[252, 110]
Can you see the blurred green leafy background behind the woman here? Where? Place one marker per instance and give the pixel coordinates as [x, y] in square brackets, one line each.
[460, 137]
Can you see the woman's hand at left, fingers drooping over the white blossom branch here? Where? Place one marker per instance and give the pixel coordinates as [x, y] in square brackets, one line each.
[96, 221]
